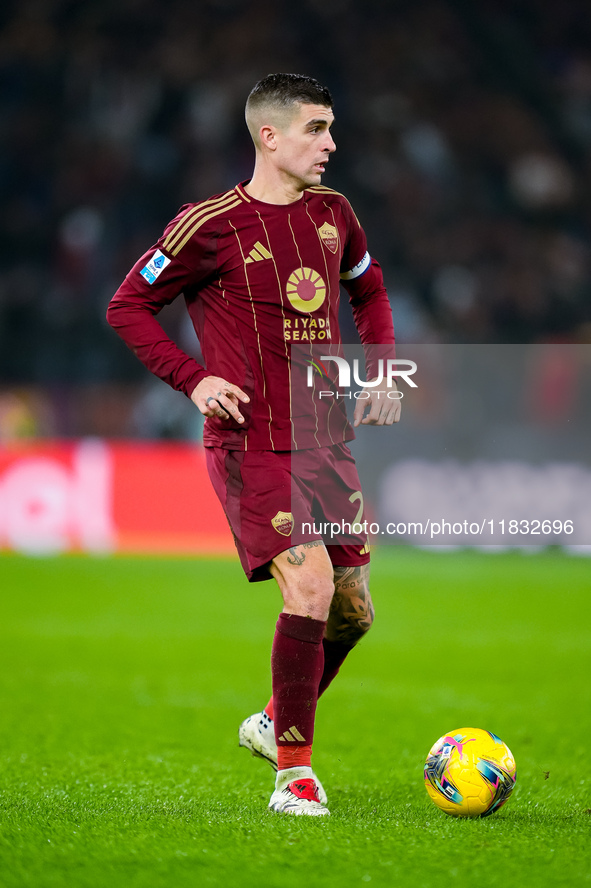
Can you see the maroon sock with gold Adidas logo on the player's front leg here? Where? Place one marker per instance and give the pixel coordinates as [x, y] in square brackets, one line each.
[297, 660]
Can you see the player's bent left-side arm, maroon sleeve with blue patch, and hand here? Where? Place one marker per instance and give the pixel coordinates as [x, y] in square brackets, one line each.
[155, 281]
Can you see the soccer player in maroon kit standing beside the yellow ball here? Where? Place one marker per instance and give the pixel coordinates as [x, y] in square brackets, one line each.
[260, 268]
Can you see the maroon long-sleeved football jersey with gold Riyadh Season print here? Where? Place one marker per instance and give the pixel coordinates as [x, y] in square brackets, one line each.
[257, 278]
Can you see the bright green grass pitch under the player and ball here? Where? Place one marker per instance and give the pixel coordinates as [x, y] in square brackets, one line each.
[123, 681]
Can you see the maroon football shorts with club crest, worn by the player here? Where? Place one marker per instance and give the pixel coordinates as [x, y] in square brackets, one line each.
[278, 499]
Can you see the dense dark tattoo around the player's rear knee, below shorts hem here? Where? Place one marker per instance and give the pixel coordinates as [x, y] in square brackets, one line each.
[351, 611]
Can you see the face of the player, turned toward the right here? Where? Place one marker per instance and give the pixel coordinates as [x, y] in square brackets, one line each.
[305, 145]
